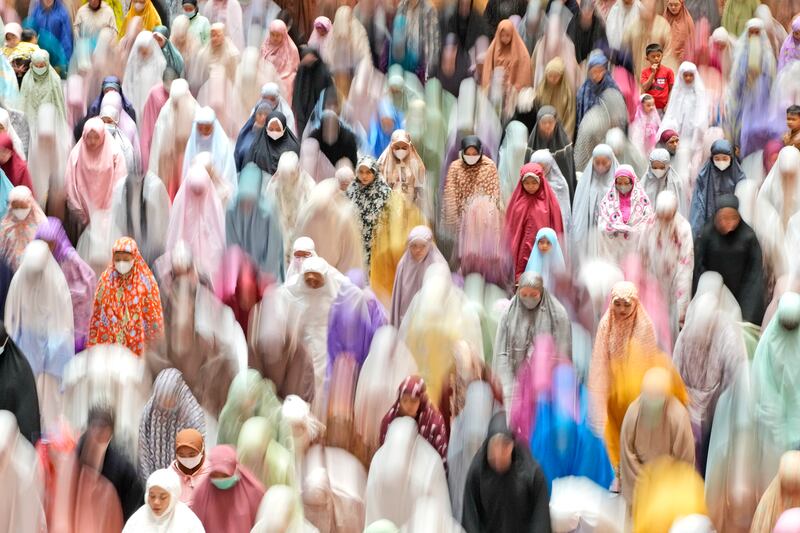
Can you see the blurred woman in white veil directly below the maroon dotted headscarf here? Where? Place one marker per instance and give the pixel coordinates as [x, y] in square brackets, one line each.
[405, 471]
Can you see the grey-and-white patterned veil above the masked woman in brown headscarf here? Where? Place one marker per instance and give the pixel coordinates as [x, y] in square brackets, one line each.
[170, 409]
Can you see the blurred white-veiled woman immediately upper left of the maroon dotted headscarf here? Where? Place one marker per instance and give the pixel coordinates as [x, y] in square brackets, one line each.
[388, 363]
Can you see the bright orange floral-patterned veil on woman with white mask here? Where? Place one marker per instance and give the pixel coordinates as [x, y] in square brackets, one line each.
[127, 310]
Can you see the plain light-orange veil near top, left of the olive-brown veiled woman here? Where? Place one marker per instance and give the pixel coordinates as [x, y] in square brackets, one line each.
[513, 57]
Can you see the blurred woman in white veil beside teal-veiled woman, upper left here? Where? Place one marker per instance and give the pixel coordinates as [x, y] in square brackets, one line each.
[144, 70]
